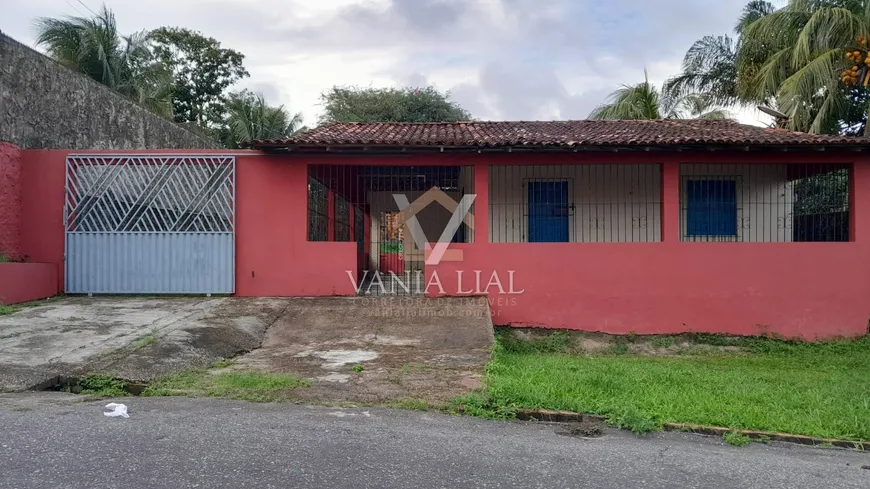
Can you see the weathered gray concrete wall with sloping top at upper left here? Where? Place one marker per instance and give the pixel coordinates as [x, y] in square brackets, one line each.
[44, 105]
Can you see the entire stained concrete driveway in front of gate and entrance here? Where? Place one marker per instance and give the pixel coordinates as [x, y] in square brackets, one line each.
[363, 350]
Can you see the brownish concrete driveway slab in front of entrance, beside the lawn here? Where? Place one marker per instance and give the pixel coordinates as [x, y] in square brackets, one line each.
[377, 350]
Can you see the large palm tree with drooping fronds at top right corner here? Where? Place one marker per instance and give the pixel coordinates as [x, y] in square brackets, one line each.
[806, 42]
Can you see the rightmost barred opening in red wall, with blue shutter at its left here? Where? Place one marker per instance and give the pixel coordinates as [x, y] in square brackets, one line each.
[764, 202]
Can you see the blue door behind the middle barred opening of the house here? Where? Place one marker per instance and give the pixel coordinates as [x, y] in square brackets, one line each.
[548, 212]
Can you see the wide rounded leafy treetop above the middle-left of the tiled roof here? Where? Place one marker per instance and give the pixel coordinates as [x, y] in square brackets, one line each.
[353, 104]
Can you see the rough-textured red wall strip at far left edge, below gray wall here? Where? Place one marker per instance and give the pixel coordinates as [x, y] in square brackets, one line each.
[10, 201]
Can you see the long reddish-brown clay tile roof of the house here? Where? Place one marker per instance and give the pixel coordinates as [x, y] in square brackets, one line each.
[549, 134]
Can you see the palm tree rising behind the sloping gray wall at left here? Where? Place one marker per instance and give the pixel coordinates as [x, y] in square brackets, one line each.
[93, 46]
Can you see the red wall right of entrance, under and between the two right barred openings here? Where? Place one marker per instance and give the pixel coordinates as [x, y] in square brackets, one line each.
[810, 290]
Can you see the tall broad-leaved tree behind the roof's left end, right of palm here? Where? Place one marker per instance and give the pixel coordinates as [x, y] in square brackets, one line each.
[202, 72]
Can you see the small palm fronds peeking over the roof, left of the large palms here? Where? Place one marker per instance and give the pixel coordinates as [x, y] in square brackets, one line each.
[645, 101]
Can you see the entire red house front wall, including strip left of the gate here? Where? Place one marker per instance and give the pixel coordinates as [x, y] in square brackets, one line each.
[812, 290]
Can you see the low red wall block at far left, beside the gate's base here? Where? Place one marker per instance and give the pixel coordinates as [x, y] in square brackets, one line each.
[23, 282]
